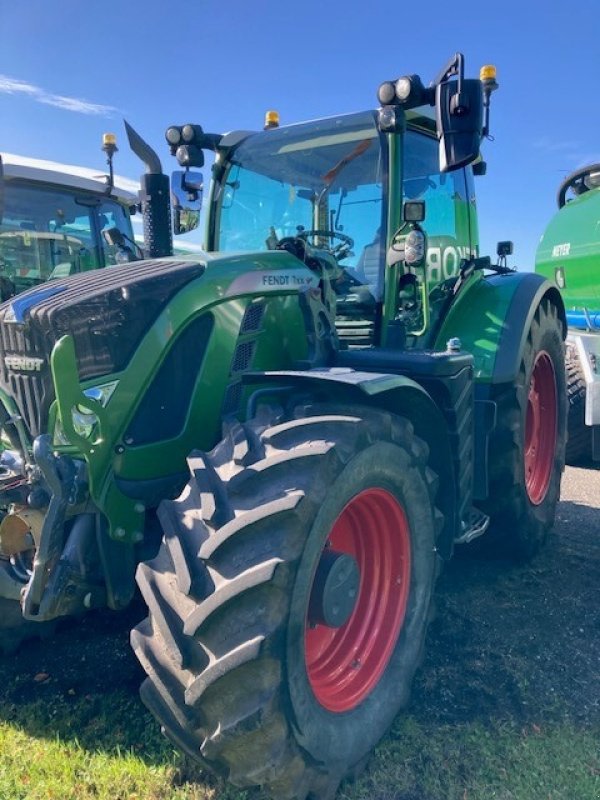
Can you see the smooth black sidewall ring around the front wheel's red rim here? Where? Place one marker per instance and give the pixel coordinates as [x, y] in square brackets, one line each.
[346, 737]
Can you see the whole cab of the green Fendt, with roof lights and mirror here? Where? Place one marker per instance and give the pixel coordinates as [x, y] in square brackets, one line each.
[347, 194]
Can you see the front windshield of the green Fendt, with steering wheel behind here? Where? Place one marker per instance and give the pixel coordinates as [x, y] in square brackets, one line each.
[325, 175]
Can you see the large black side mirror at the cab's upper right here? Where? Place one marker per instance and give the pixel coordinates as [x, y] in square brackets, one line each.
[459, 118]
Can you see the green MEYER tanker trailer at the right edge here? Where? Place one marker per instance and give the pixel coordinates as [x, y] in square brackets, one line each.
[569, 256]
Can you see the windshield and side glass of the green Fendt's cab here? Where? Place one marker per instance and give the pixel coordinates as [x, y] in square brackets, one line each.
[326, 190]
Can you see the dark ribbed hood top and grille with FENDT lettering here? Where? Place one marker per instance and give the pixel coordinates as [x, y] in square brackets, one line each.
[109, 311]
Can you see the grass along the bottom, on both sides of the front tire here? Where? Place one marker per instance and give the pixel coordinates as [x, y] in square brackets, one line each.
[109, 749]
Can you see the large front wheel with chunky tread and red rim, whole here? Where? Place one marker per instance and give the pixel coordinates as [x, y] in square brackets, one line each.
[290, 597]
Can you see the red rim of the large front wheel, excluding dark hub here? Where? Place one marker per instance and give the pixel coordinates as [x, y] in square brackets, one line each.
[345, 664]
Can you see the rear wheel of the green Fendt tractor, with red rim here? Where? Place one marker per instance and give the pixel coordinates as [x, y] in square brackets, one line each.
[527, 449]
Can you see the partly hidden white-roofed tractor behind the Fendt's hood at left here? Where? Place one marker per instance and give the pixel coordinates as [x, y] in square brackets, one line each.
[60, 219]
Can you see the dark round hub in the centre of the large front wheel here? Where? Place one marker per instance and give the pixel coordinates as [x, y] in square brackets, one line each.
[335, 589]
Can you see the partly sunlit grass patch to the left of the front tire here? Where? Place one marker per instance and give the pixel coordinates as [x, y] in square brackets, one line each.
[92, 748]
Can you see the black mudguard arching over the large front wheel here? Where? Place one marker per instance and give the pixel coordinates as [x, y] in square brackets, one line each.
[393, 393]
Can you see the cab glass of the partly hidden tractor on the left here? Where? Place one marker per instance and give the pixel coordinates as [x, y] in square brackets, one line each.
[51, 233]
